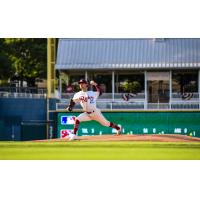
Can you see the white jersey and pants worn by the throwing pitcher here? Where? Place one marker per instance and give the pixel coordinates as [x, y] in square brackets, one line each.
[88, 103]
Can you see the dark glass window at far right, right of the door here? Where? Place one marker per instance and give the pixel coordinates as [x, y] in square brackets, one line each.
[185, 81]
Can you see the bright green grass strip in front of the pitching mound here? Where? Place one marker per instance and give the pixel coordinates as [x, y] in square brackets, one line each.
[80, 150]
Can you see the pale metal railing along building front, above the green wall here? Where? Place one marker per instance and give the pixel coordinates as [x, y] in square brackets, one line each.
[138, 102]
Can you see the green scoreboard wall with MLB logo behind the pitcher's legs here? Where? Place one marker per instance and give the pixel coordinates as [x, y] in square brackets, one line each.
[148, 122]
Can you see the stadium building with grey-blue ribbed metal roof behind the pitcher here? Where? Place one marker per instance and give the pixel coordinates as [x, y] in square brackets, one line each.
[148, 73]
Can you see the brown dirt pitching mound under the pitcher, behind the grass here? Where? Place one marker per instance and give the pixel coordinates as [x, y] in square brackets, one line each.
[145, 137]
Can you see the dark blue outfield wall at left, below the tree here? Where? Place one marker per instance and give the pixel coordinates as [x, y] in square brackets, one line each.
[14, 111]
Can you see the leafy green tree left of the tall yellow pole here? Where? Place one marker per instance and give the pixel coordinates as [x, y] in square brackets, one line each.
[28, 57]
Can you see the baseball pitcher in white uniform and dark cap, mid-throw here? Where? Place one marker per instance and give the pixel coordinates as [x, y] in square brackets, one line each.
[87, 100]
